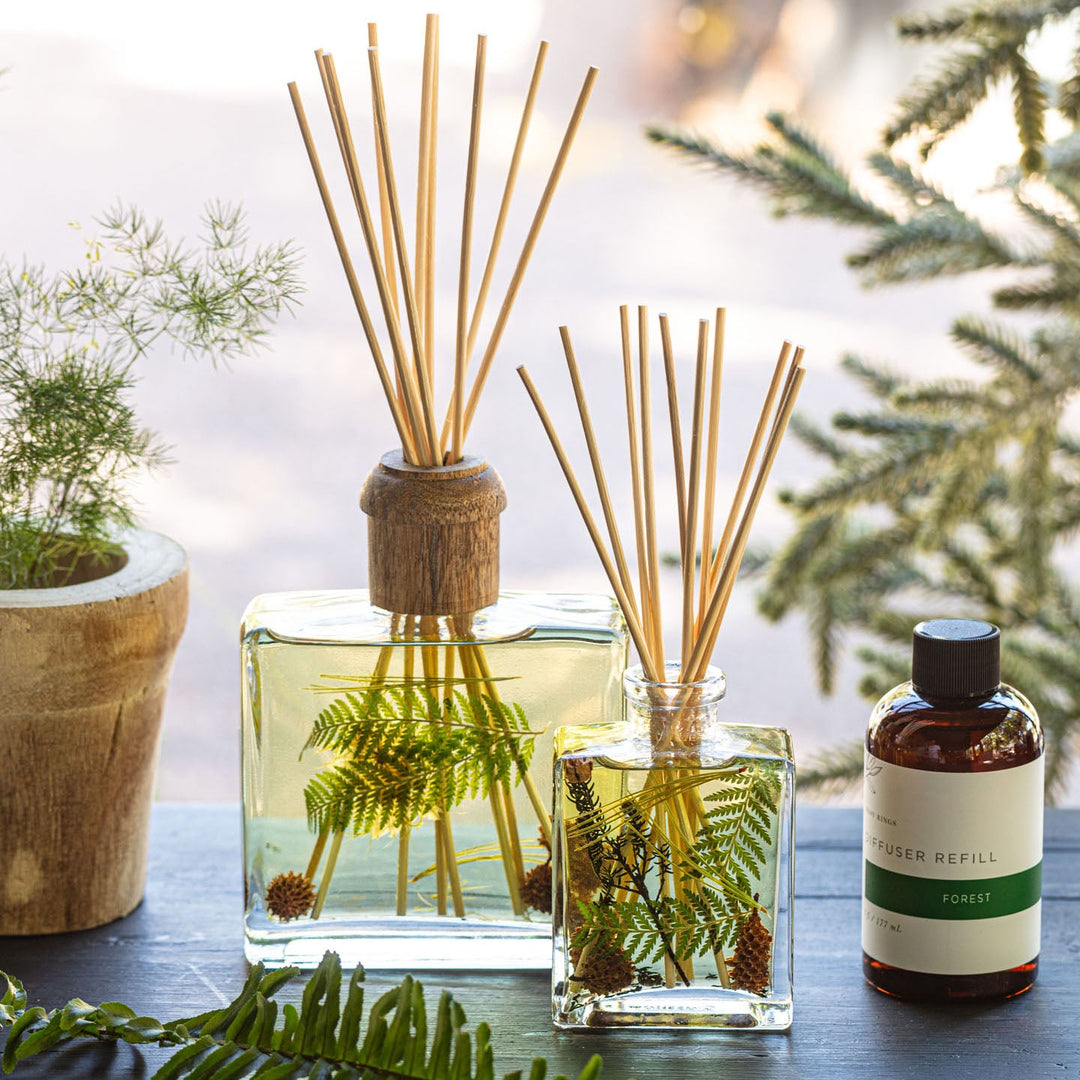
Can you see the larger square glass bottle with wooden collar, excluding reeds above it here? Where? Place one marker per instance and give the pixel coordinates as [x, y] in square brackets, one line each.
[398, 744]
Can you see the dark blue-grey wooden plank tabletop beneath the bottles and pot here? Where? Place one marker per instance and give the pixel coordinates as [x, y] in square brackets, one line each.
[181, 952]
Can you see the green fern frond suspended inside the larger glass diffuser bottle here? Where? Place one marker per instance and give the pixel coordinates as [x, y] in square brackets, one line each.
[403, 752]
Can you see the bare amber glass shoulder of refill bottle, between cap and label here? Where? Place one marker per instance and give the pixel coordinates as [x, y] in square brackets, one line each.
[1000, 732]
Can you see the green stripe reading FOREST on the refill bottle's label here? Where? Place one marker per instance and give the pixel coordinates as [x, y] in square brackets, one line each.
[944, 899]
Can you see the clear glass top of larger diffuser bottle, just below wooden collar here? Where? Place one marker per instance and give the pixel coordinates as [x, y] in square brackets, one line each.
[348, 617]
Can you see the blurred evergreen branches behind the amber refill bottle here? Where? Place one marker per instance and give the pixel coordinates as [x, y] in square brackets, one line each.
[960, 495]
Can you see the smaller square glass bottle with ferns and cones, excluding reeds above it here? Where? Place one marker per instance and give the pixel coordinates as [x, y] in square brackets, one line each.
[673, 866]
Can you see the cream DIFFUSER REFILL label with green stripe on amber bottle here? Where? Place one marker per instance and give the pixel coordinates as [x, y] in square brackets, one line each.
[952, 868]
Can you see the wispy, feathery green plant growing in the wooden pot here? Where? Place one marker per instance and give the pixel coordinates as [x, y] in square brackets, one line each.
[70, 440]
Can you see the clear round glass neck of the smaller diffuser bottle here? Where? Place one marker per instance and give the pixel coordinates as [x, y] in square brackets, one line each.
[674, 717]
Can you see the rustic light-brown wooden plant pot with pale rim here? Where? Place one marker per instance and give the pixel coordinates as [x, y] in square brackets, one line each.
[84, 671]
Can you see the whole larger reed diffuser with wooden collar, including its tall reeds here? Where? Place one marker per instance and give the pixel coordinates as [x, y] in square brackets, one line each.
[398, 745]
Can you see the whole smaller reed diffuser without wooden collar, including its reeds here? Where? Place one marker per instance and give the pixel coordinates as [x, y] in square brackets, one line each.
[674, 828]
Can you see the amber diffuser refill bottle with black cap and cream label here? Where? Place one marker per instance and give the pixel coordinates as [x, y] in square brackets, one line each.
[953, 832]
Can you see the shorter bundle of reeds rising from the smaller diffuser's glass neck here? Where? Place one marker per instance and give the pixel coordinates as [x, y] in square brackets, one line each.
[706, 591]
